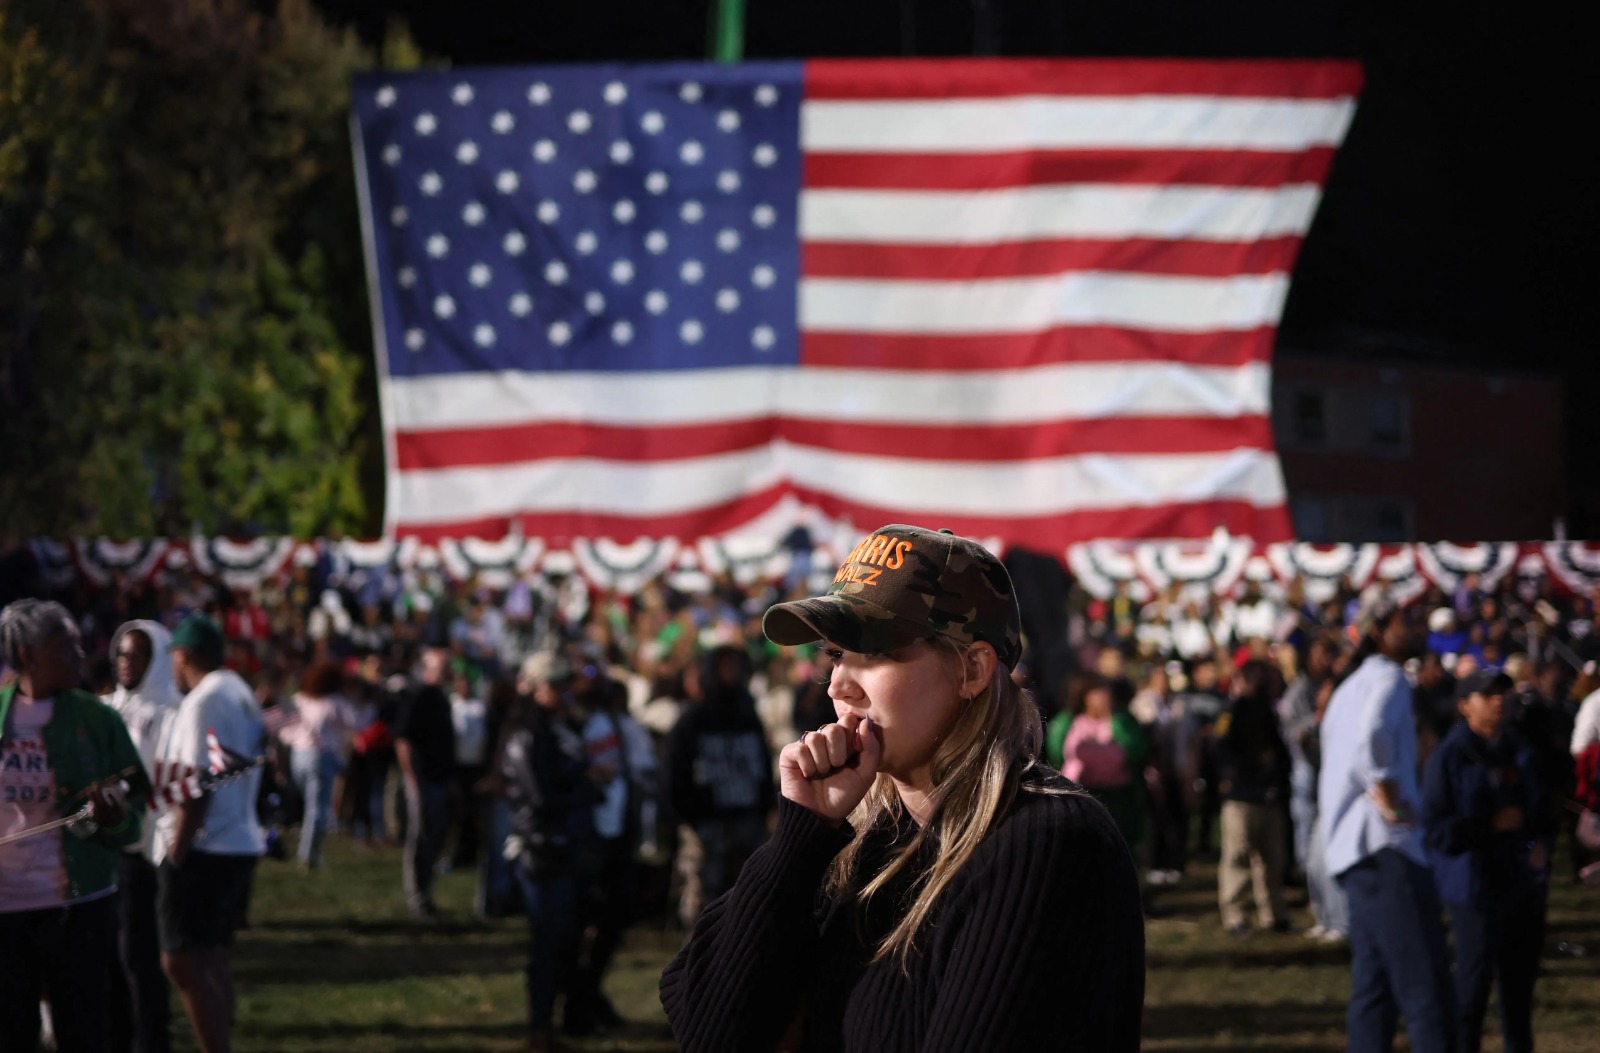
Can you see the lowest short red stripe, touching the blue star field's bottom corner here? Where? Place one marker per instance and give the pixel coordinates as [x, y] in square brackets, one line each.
[1015, 351]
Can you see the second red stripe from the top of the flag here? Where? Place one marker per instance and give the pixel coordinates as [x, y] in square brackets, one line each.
[993, 172]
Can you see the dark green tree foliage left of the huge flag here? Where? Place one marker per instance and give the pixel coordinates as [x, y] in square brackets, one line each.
[183, 318]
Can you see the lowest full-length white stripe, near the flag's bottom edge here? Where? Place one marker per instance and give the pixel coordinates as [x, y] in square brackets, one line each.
[1039, 487]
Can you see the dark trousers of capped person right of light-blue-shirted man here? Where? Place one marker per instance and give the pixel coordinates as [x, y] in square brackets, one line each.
[1498, 945]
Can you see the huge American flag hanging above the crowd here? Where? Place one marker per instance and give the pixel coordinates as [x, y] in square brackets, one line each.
[1033, 302]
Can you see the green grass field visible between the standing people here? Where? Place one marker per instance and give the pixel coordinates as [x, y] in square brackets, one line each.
[334, 964]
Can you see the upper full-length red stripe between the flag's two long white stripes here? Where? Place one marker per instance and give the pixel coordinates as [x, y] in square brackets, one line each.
[529, 444]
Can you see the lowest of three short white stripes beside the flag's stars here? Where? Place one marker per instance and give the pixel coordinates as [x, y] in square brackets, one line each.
[1142, 302]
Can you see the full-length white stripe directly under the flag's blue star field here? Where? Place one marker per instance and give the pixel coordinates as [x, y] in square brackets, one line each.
[1052, 393]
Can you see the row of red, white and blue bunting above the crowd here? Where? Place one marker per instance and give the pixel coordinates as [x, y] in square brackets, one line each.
[1220, 566]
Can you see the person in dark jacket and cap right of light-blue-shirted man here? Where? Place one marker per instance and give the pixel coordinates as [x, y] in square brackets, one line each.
[1481, 809]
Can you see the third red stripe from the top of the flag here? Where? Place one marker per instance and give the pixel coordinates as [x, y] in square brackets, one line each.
[1215, 260]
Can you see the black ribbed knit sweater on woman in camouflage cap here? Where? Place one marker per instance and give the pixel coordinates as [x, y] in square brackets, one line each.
[1038, 945]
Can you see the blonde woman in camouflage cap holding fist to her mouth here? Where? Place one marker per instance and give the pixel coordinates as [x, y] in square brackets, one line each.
[930, 886]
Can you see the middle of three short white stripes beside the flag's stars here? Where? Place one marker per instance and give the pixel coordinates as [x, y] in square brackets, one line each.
[1057, 212]
